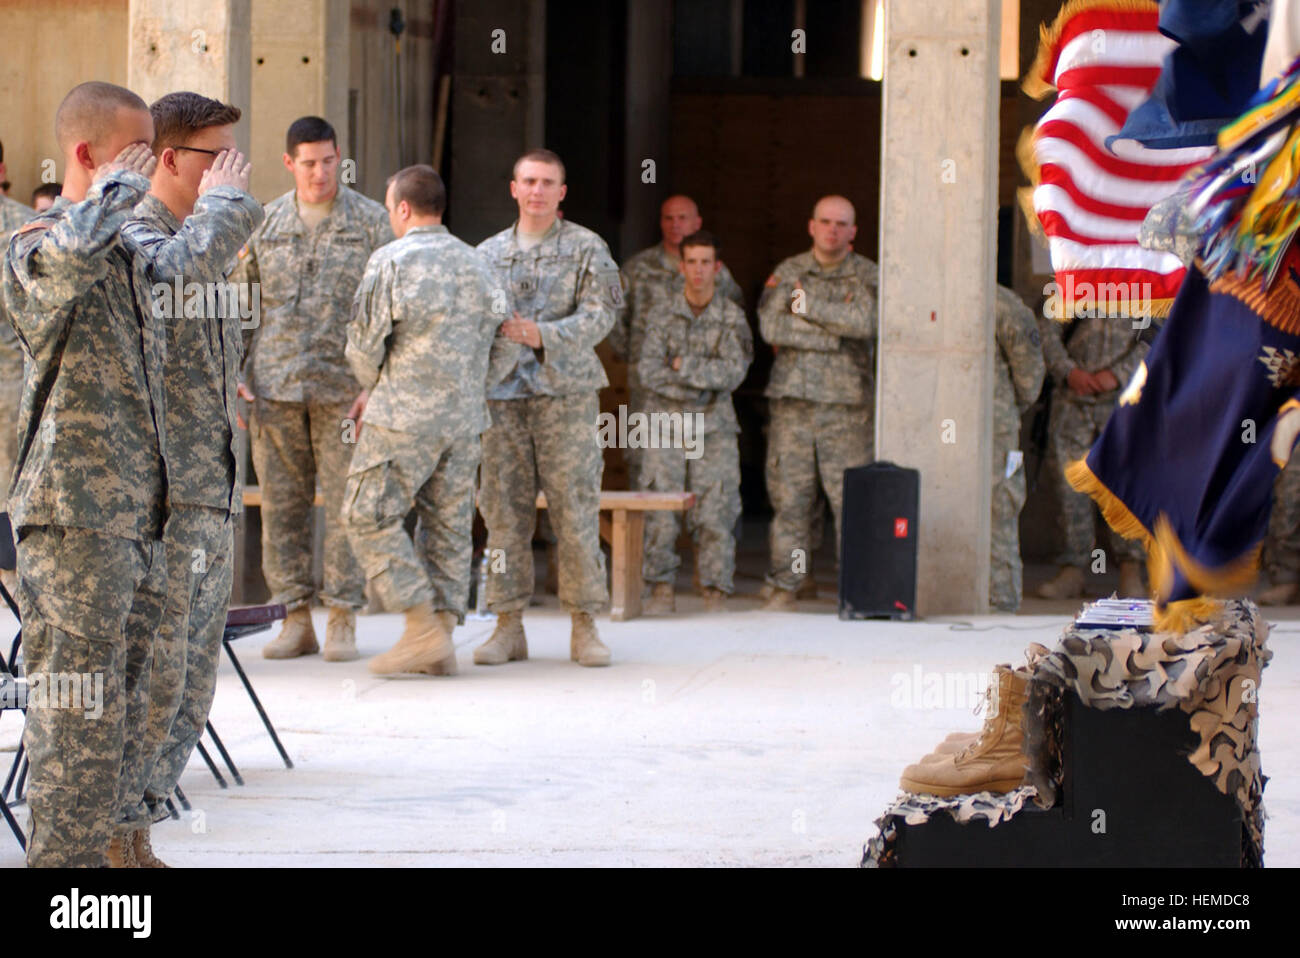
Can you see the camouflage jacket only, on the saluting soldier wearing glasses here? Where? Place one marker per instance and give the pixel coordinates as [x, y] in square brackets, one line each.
[187, 263]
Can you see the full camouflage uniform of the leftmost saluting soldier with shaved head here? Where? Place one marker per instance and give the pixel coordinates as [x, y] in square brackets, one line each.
[88, 504]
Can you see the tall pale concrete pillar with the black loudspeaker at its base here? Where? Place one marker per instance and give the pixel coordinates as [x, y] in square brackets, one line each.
[938, 235]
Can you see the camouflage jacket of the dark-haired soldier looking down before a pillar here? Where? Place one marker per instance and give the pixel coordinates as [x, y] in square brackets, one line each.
[307, 283]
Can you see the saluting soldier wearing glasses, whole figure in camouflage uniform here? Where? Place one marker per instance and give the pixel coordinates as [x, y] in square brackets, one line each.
[196, 218]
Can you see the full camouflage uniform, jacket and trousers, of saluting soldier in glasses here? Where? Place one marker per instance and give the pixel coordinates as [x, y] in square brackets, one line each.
[205, 352]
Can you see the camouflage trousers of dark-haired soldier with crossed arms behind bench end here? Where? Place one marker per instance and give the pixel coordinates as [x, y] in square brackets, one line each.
[714, 478]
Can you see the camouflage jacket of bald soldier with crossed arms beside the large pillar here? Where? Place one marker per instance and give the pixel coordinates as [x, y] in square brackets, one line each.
[826, 339]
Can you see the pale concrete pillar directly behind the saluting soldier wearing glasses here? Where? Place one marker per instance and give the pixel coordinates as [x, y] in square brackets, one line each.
[200, 46]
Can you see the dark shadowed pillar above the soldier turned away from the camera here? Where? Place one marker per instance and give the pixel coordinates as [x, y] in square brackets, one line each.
[499, 111]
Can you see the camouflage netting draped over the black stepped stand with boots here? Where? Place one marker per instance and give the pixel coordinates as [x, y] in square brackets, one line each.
[1212, 674]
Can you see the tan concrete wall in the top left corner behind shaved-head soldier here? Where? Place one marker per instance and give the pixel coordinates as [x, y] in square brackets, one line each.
[47, 47]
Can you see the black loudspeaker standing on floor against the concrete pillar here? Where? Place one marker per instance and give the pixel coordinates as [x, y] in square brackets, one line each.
[878, 543]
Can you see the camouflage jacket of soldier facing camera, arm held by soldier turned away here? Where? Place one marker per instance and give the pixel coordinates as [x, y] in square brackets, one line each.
[569, 285]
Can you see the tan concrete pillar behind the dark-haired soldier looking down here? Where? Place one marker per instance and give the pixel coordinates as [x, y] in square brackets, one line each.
[300, 68]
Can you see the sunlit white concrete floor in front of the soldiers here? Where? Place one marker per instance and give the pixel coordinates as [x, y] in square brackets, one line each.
[714, 740]
